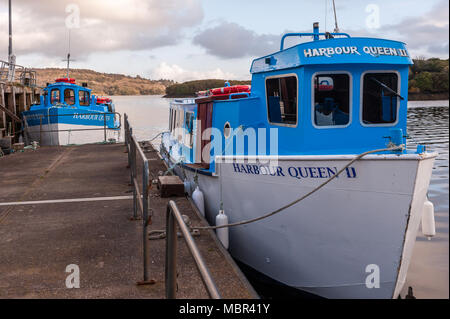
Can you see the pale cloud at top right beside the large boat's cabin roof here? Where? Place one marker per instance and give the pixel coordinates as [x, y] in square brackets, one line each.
[426, 34]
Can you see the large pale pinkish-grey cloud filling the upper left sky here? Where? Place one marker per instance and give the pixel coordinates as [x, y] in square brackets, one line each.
[104, 25]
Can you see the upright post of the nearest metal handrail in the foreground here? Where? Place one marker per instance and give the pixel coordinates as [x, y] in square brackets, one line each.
[171, 255]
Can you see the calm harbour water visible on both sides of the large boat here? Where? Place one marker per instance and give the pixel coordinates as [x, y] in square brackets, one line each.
[427, 124]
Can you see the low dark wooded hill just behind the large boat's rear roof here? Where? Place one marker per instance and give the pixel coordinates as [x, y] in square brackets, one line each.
[188, 89]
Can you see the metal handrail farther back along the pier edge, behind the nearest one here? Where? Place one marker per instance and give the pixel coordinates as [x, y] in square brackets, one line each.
[139, 200]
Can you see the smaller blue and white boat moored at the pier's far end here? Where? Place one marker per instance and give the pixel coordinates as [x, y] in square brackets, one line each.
[71, 114]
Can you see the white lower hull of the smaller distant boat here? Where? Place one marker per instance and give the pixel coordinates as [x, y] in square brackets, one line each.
[66, 134]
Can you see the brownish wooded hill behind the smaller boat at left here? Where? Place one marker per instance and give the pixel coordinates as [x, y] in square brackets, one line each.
[106, 83]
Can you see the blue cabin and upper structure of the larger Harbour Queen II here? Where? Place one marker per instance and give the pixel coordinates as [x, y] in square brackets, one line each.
[333, 95]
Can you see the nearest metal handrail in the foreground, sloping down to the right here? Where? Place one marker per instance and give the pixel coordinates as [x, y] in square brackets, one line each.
[174, 217]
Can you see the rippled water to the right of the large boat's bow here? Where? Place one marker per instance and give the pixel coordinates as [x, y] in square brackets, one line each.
[428, 272]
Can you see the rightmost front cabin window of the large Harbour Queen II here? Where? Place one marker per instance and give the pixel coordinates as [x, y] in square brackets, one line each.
[380, 98]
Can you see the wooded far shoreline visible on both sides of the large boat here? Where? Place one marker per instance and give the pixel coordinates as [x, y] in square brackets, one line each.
[428, 80]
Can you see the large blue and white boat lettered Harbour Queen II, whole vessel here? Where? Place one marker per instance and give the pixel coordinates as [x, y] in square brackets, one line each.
[312, 109]
